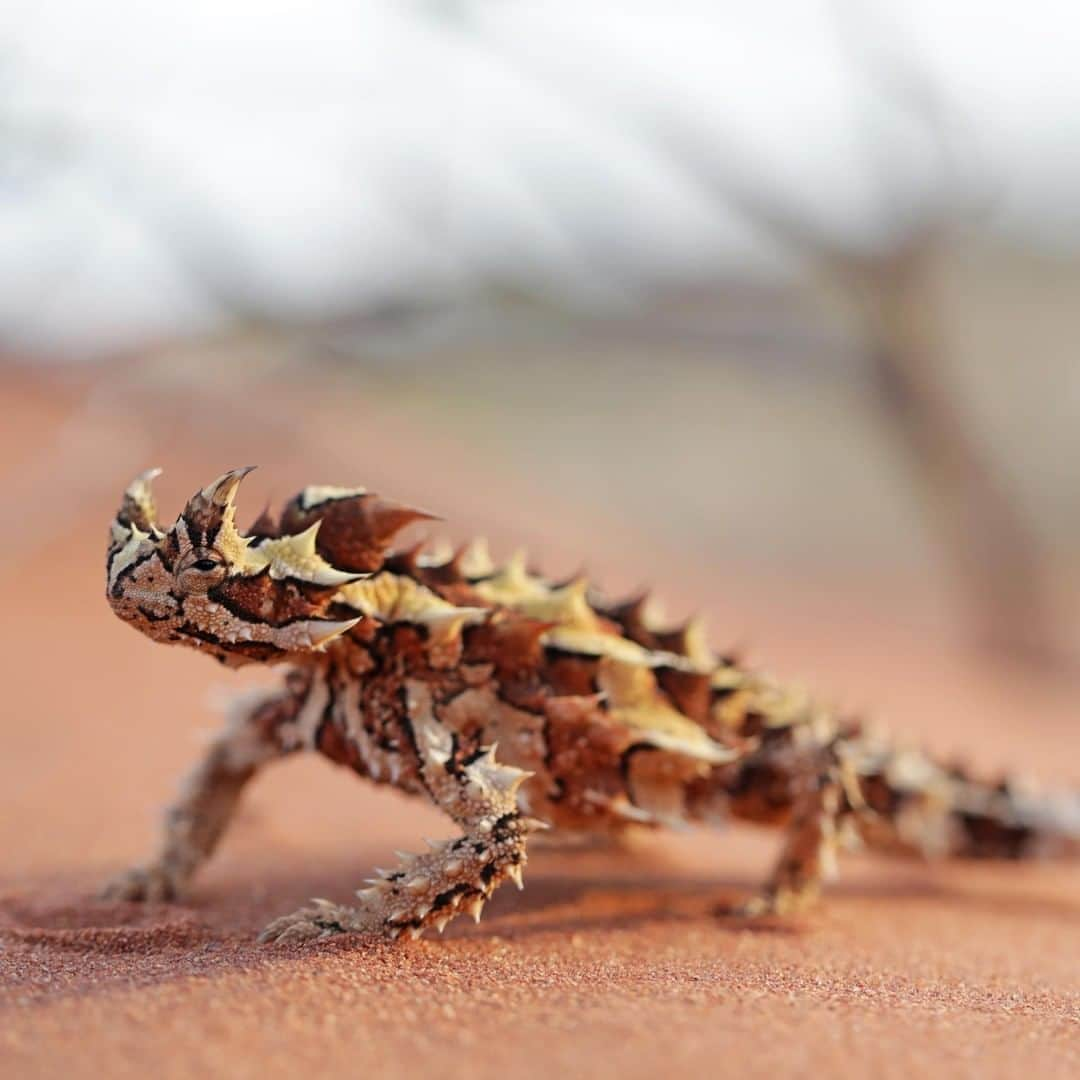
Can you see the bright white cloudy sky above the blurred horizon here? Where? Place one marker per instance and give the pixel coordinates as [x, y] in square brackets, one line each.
[168, 167]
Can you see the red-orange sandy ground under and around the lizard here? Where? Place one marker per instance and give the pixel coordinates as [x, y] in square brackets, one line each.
[609, 965]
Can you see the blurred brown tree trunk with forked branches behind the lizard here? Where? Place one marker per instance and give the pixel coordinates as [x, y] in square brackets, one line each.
[892, 286]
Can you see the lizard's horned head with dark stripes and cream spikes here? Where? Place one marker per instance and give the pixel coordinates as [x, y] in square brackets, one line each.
[202, 584]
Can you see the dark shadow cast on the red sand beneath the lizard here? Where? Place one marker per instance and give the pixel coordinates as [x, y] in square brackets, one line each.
[215, 929]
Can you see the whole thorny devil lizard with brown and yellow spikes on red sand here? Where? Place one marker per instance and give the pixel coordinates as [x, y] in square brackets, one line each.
[515, 705]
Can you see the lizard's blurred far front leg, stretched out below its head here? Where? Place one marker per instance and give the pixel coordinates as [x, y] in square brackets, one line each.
[209, 798]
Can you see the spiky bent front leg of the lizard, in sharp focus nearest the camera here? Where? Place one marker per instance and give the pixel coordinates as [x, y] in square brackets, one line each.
[455, 876]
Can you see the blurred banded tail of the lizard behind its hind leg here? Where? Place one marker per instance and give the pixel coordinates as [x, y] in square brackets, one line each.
[910, 804]
